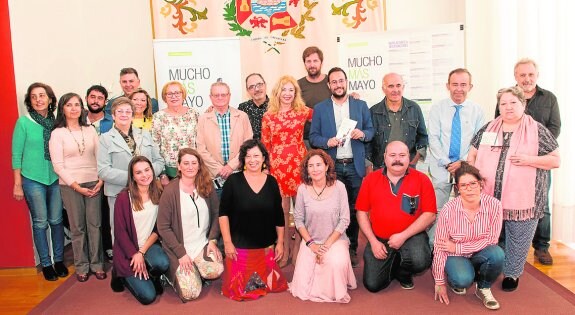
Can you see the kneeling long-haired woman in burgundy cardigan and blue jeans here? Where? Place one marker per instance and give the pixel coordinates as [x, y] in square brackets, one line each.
[139, 260]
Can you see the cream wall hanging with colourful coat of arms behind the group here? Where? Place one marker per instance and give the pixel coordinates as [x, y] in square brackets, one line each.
[272, 33]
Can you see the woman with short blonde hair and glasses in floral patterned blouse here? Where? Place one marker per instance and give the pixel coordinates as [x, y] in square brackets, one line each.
[174, 128]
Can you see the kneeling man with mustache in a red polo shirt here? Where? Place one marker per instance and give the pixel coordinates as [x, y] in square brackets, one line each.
[394, 207]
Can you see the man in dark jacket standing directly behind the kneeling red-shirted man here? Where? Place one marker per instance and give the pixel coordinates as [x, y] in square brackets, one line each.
[396, 118]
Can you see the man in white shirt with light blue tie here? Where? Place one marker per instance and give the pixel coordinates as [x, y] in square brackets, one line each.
[452, 123]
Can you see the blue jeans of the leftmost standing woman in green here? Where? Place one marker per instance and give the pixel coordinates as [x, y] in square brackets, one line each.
[45, 204]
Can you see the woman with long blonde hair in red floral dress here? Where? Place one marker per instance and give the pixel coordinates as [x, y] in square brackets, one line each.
[282, 134]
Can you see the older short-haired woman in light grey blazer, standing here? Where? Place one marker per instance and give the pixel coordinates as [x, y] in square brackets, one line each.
[118, 146]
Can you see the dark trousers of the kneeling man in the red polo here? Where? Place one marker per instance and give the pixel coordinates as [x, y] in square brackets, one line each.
[413, 257]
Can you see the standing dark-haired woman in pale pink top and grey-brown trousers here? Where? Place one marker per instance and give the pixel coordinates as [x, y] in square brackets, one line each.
[73, 146]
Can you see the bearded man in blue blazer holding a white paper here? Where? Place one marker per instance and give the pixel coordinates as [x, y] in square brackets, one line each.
[348, 154]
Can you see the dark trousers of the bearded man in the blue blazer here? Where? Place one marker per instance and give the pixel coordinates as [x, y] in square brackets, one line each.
[347, 174]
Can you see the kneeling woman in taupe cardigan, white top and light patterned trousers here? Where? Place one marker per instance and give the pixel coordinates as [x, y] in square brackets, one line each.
[188, 226]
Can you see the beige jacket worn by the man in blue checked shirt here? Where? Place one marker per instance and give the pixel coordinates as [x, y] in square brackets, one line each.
[209, 140]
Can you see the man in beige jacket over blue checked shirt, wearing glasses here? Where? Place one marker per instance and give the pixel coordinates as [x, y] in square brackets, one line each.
[221, 132]
